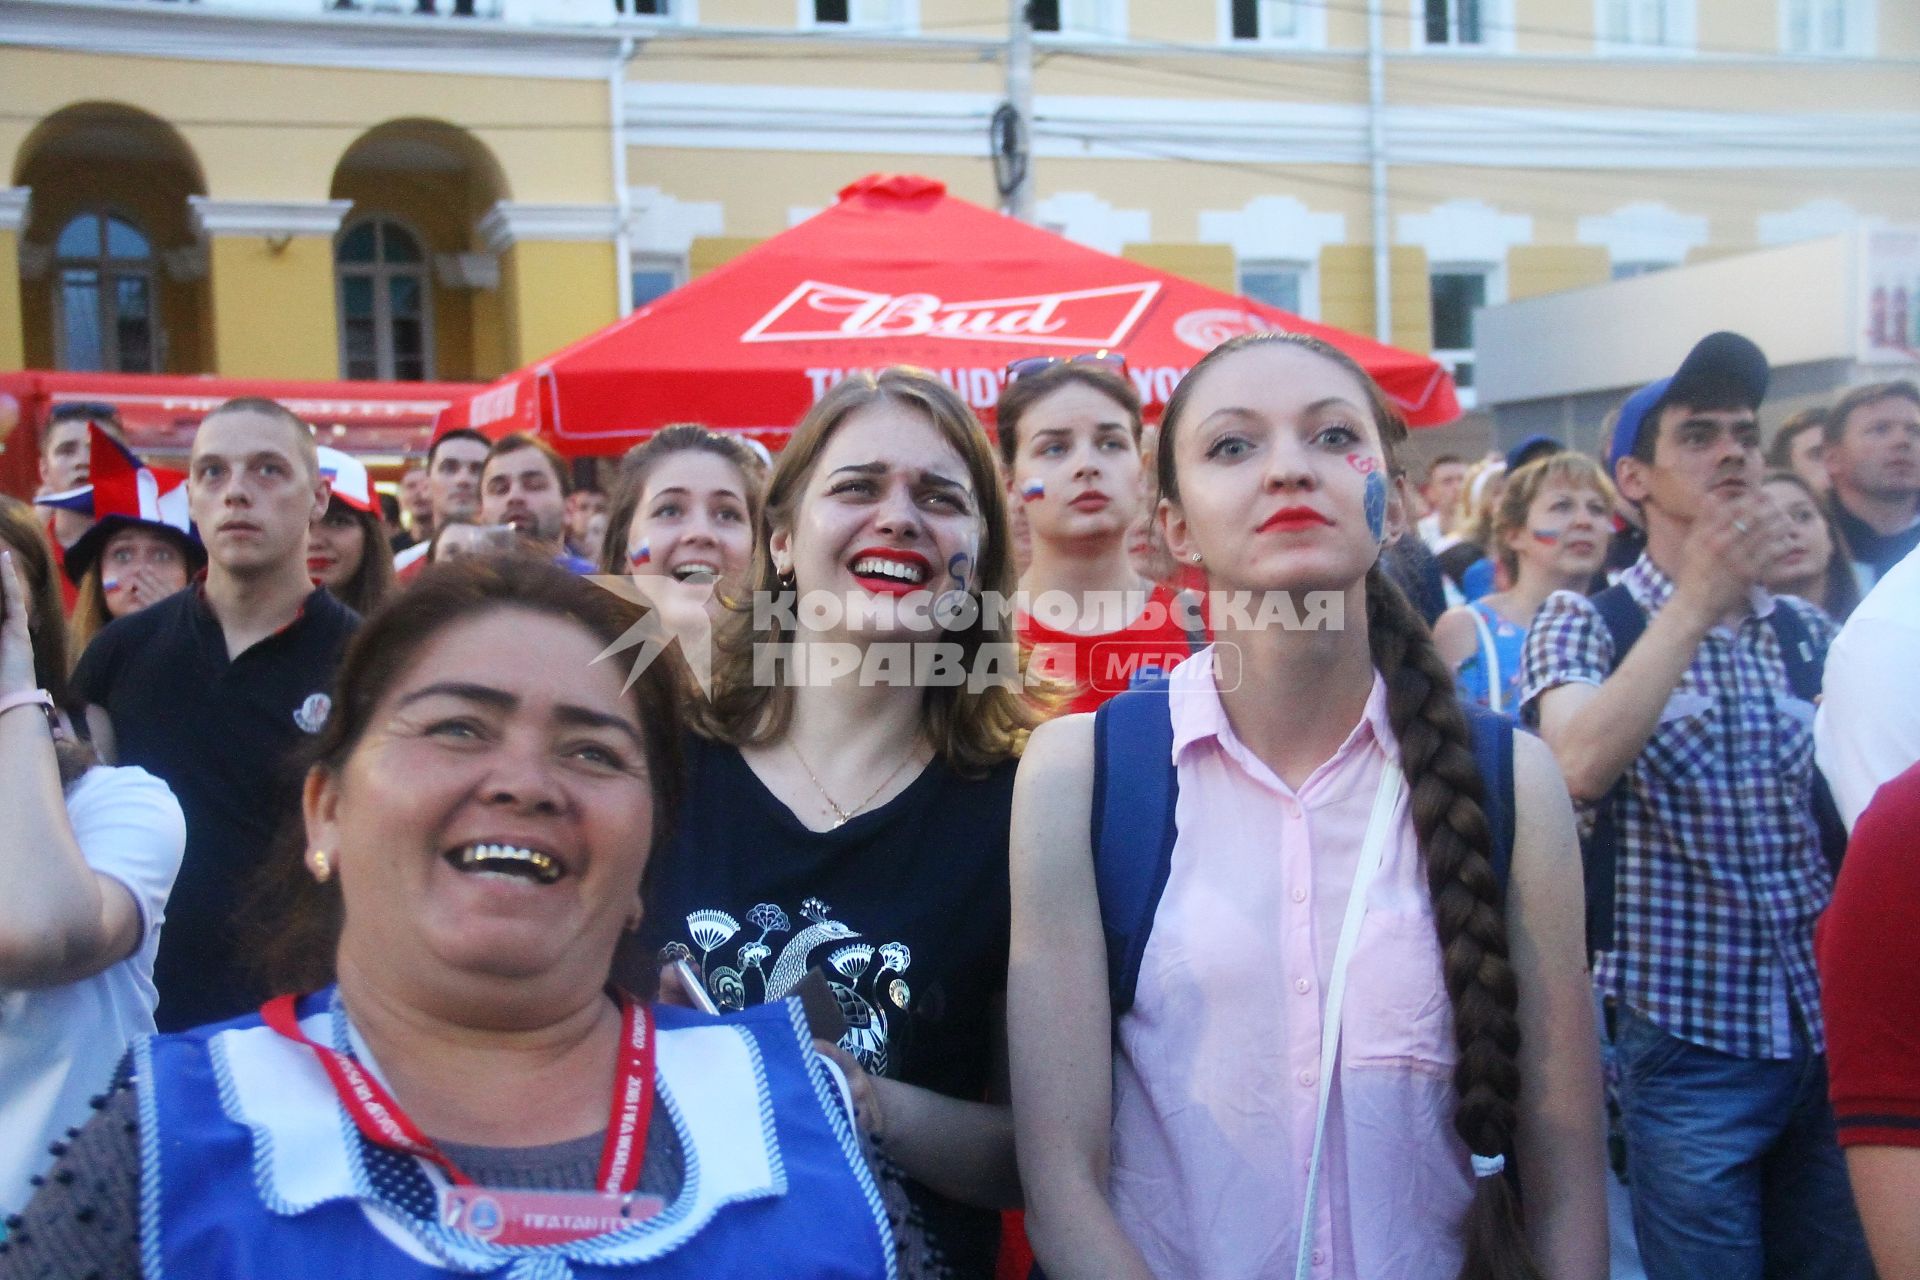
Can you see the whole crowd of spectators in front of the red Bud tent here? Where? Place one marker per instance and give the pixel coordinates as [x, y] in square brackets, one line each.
[721, 874]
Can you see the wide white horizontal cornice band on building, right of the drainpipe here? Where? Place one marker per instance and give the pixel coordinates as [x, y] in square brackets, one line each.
[790, 118]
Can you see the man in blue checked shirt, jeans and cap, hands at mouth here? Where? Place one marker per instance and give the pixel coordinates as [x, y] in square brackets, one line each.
[1719, 872]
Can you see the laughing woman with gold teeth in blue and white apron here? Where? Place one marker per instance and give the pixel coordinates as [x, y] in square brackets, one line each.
[466, 1093]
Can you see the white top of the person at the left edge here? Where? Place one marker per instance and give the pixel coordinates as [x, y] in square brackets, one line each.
[59, 1045]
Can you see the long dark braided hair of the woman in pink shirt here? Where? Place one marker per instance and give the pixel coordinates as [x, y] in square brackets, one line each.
[1456, 851]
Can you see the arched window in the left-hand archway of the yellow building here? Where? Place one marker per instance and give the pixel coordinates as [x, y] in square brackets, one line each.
[105, 296]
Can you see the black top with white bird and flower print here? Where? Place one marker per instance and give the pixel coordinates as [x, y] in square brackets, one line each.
[903, 909]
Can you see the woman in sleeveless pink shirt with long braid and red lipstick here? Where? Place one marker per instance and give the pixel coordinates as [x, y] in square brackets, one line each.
[1343, 1031]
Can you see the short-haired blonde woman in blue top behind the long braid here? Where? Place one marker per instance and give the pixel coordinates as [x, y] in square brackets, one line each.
[1550, 534]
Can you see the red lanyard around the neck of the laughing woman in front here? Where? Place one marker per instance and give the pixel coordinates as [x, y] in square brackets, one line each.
[381, 1120]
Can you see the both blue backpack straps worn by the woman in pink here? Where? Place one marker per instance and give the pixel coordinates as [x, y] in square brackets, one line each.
[1134, 797]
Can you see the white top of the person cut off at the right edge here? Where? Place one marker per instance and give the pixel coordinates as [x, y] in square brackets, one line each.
[1869, 723]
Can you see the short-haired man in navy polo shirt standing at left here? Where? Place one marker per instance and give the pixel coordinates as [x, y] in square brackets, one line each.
[216, 688]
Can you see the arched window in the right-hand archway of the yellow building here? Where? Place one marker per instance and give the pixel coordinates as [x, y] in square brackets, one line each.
[385, 302]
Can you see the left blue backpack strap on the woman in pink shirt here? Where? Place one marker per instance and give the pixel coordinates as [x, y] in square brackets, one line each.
[1134, 797]
